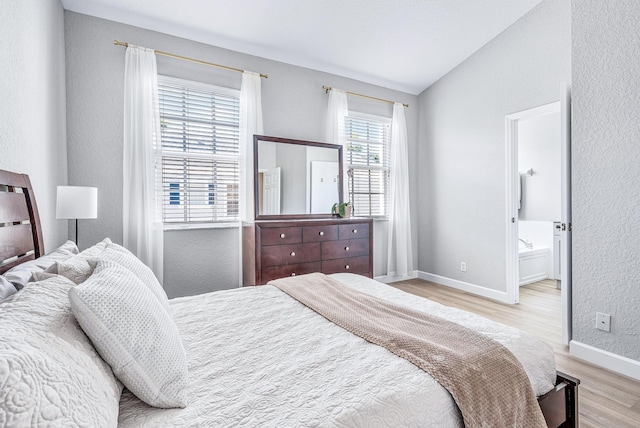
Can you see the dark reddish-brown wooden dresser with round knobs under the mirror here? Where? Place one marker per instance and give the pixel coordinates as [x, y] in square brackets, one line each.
[275, 249]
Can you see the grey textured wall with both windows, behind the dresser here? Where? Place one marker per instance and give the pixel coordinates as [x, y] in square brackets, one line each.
[294, 106]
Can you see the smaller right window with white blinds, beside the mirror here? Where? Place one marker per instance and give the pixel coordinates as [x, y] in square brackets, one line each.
[367, 159]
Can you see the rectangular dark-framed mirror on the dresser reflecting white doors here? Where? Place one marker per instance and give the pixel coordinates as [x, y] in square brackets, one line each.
[295, 178]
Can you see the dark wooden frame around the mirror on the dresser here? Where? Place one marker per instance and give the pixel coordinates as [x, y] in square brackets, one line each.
[256, 139]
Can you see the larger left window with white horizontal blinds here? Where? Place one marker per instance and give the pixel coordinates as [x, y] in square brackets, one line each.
[200, 151]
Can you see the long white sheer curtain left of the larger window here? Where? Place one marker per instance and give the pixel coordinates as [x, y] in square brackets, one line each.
[142, 215]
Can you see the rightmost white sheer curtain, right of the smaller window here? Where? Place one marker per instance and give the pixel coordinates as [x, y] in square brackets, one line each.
[400, 254]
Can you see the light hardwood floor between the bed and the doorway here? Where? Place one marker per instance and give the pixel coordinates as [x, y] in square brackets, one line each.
[605, 399]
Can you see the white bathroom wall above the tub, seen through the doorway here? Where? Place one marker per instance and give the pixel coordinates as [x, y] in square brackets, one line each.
[539, 149]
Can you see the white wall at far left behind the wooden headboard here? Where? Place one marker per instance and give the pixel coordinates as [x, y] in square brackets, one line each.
[32, 128]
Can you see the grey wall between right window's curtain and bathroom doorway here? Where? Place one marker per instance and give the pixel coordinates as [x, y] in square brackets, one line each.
[462, 142]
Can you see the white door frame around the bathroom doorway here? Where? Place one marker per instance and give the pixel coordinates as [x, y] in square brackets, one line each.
[512, 175]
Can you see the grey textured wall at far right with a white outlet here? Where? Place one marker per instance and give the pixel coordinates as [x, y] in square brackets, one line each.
[605, 162]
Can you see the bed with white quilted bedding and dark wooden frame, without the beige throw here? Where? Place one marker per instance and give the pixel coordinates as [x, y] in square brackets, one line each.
[254, 356]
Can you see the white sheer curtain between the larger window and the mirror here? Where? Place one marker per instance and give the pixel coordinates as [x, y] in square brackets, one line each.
[250, 124]
